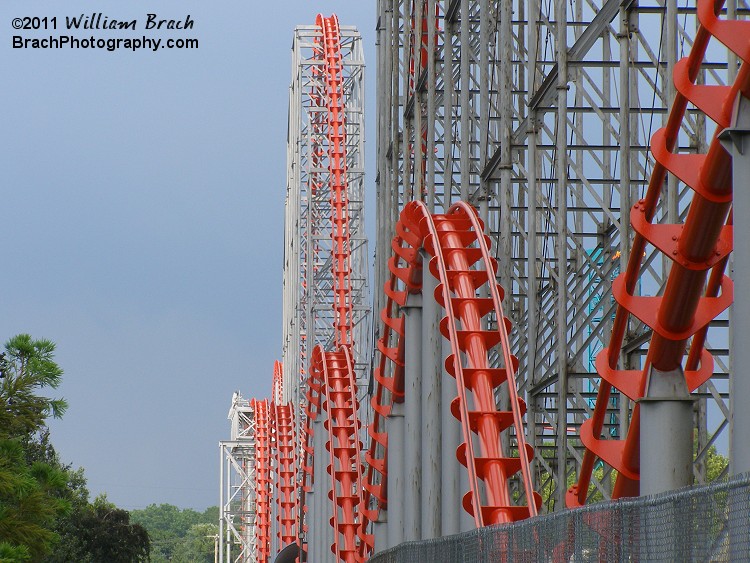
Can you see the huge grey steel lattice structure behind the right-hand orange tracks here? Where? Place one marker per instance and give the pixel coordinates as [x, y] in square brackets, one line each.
[504, 104]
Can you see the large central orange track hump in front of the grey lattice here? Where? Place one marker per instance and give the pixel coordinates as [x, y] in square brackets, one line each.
[472, 302]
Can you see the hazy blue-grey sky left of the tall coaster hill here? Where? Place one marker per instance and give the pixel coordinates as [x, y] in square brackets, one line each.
[142, 226]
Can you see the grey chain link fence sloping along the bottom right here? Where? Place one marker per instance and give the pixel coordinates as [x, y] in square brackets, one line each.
[707, 523]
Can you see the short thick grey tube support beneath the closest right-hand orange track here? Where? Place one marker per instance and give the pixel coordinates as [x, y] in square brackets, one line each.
[666, 439]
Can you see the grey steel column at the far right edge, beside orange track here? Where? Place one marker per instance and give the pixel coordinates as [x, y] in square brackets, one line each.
[736, 140]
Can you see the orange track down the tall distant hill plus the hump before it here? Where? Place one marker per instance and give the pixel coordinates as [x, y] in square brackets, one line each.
[331, 387]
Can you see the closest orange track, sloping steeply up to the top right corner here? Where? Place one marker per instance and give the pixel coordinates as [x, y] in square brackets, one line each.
[698, 250]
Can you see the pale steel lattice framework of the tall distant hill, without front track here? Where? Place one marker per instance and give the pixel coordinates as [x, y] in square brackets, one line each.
[309, 295]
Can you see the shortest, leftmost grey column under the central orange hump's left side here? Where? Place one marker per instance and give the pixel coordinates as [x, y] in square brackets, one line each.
[396, 427]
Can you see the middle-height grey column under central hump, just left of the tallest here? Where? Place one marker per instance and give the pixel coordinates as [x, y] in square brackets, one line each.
[412, 498]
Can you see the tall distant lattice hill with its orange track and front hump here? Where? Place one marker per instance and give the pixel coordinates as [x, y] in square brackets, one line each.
[326, 279]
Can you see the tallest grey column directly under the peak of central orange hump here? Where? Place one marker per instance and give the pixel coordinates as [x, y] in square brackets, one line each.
[432, 375]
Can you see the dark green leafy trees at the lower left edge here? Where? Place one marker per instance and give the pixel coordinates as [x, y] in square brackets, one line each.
[45, 514]
